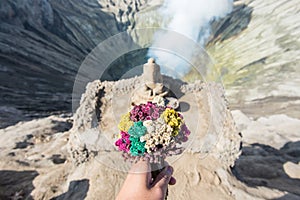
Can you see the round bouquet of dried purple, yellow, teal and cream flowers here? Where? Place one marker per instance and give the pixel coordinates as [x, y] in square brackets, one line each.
[152, 131]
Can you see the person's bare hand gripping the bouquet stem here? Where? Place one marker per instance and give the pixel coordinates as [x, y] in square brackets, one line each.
[139, 183]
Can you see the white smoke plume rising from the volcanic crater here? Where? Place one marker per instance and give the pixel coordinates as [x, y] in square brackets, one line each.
[190, 18]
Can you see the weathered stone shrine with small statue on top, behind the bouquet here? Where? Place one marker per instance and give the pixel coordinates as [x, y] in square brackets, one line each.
[212, 148]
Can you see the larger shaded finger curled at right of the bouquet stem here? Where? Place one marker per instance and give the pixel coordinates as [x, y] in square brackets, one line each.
[163, 178]
